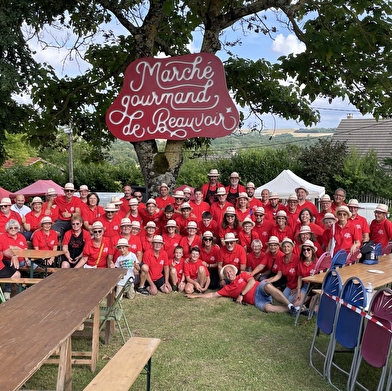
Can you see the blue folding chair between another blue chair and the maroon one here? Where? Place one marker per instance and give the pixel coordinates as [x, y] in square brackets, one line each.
[347, 326]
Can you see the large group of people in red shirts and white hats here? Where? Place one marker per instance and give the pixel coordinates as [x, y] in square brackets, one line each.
[217, 237]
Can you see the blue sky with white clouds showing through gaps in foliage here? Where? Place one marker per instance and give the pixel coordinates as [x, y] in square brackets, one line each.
[253, 46]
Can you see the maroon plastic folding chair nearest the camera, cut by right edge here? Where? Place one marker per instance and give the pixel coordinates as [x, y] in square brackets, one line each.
[376, 341]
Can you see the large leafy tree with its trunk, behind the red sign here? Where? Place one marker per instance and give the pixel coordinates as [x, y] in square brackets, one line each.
[348, 54]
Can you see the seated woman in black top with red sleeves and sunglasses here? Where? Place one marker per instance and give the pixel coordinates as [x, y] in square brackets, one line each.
[73, 243]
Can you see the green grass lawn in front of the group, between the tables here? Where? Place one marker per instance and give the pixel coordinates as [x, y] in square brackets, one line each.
[214, 345]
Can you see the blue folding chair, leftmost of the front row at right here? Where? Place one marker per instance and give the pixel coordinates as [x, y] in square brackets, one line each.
[332, 285]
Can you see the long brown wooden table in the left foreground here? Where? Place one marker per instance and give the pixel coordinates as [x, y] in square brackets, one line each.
[37, 322]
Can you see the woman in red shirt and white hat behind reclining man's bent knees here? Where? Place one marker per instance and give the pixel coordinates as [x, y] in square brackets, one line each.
[286, 267]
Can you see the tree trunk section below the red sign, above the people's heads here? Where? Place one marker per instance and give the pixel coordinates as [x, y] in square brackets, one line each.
[159, 167]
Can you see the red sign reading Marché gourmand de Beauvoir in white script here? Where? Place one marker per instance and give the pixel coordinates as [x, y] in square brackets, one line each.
[173, 98]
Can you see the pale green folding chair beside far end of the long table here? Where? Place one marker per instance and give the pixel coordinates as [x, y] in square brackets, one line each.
[116, 313]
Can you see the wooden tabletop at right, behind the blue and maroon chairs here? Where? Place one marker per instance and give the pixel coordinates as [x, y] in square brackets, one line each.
[364, 272]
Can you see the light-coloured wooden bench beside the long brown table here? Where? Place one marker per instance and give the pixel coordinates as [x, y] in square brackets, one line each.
[123, 369]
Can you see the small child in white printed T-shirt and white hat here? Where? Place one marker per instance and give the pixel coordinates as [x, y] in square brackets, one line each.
[127, 260]
